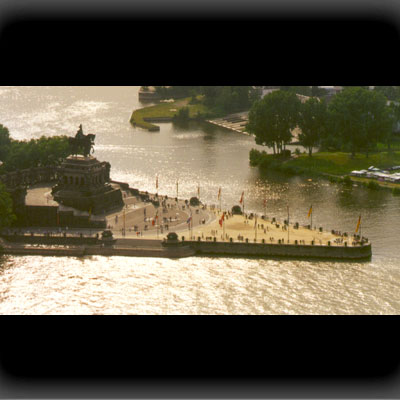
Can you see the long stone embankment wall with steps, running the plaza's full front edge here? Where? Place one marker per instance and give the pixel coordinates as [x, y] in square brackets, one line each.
[153, 248]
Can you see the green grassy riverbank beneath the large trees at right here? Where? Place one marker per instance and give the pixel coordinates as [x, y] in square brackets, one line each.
[334, 166]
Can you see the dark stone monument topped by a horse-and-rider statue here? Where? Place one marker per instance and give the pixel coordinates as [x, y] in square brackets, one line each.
[84, 182]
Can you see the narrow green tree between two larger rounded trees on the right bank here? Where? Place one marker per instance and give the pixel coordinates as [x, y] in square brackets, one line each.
[312, 122]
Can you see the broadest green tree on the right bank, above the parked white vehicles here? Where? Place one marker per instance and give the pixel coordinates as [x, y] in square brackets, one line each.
[360, 118]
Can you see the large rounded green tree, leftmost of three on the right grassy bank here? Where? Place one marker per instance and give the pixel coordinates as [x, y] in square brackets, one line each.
[273, 118]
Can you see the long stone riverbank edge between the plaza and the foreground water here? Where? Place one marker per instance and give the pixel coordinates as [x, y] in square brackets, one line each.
[155, 248]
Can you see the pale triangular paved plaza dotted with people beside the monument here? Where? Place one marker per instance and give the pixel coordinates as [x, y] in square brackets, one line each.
[142, 220]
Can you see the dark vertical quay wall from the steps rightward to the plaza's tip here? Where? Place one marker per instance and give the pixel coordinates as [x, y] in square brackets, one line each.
[281, 250]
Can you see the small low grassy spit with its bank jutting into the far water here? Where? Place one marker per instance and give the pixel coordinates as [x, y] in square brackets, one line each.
[164, 112]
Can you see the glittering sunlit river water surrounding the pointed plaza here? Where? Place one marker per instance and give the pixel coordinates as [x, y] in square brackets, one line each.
[213, 158]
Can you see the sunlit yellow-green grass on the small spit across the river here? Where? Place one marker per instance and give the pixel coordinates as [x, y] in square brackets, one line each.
[165, 110]
